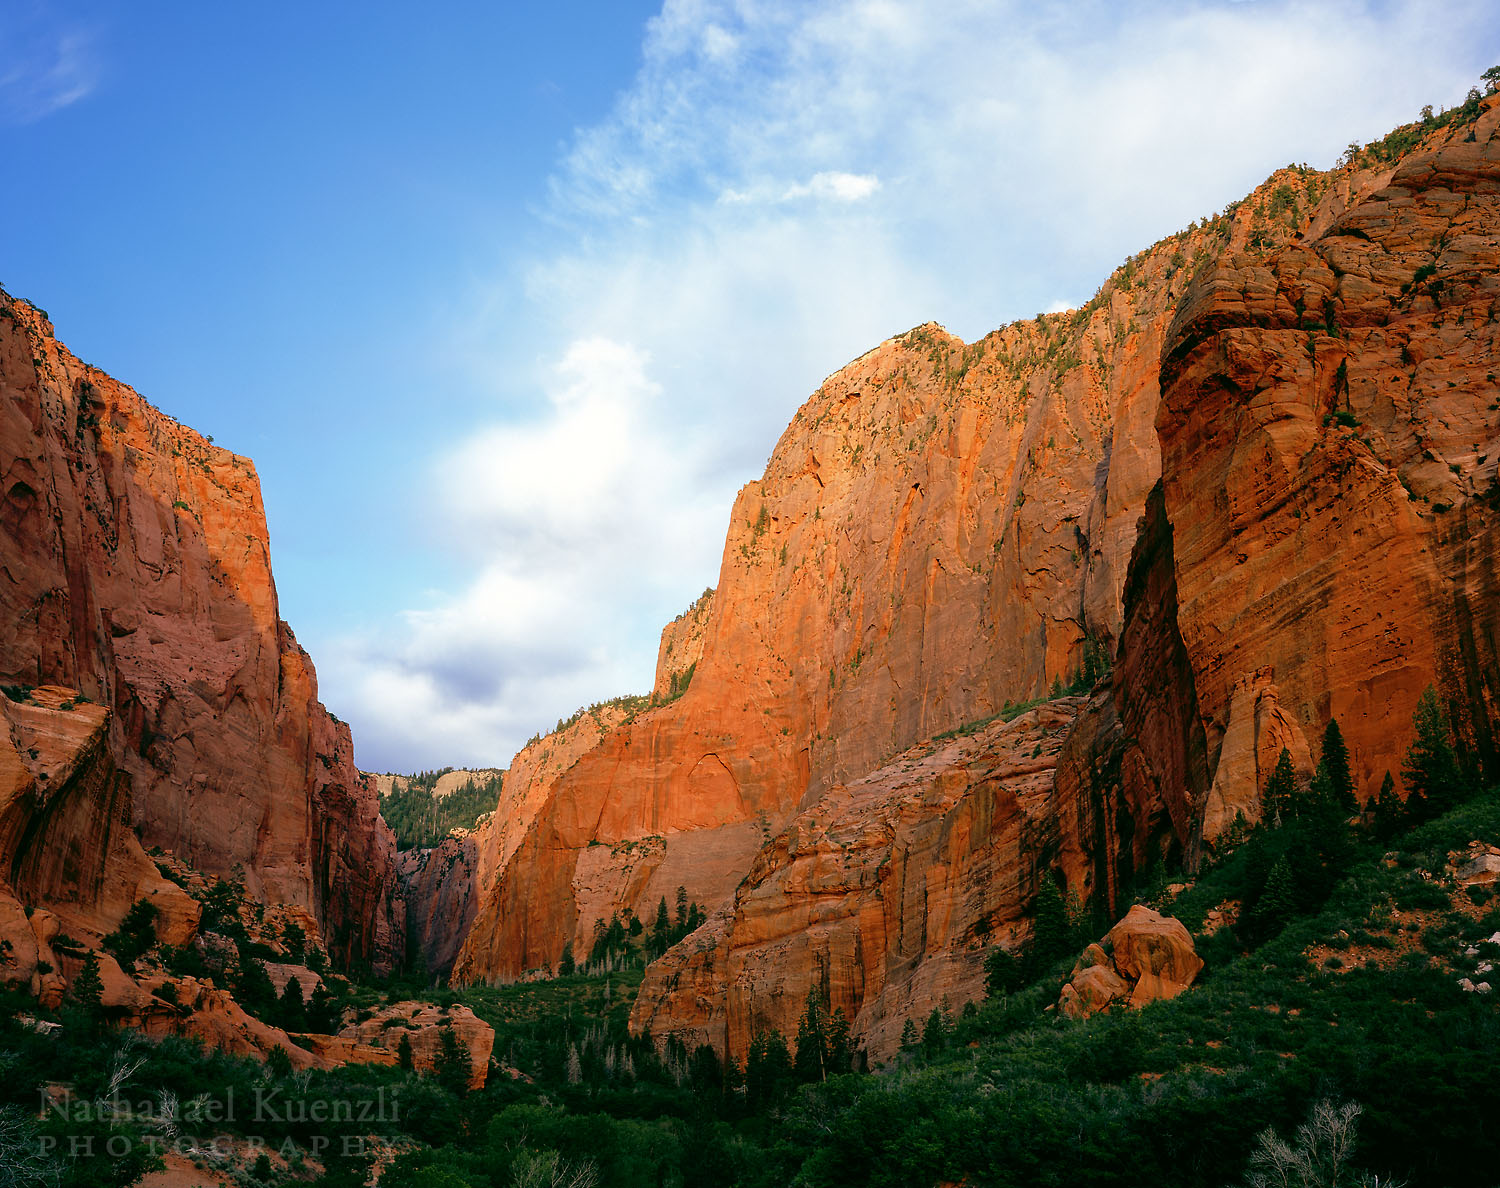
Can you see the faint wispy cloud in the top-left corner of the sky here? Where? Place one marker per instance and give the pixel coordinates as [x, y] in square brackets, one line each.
[44, 67]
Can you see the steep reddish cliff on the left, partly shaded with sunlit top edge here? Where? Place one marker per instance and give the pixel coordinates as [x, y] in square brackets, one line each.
[137, 571]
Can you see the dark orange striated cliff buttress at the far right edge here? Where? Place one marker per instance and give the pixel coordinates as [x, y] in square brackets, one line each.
[1330, 445]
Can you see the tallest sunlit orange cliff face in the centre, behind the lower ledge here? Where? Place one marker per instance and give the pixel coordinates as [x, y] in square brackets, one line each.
[937, 533]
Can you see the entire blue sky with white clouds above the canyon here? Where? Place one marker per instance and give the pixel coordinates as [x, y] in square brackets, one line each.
[508, 301]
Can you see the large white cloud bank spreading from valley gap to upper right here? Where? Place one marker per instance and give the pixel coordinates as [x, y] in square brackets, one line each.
[784, 187]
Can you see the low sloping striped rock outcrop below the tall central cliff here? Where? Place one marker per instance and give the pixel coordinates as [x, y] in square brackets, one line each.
[883, 896]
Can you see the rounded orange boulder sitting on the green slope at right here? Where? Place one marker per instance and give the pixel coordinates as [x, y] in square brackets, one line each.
[1147, 958]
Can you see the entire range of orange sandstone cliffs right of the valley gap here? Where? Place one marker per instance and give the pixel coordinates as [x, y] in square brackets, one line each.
[1322, 542]
